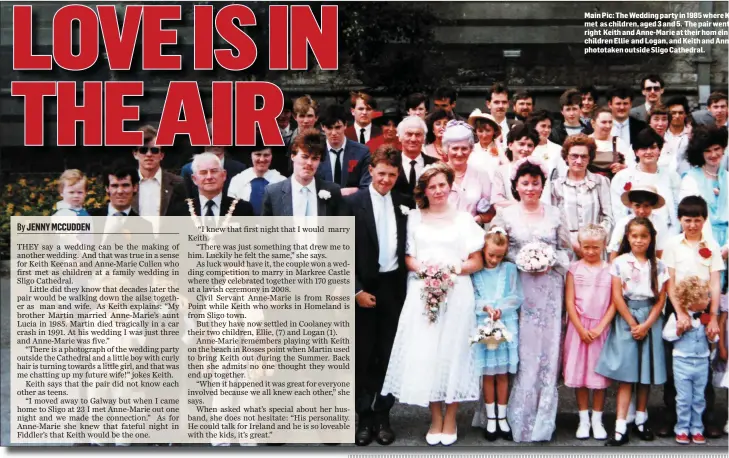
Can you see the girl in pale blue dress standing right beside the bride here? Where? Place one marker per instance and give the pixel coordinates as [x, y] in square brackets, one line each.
[498, 294]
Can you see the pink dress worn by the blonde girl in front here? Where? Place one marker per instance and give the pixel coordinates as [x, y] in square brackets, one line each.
[592, 299]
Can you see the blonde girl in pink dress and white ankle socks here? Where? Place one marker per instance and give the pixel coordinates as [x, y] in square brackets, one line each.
[590, 310]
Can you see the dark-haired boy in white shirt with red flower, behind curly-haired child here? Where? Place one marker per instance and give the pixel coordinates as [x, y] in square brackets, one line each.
[691, 254]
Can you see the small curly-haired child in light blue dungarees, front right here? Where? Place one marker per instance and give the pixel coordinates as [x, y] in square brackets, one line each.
[690, 358]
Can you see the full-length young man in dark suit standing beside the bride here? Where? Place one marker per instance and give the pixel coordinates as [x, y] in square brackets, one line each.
[380, 284]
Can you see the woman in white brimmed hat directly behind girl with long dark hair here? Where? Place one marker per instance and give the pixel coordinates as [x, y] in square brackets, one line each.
[642, 200]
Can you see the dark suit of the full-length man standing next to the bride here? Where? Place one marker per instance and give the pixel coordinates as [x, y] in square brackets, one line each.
[375, 328]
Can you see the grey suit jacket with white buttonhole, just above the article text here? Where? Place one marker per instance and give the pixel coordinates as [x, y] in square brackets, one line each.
[278, 199]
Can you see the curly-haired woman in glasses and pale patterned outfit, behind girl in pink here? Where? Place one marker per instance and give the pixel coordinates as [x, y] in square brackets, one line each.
[583, 196]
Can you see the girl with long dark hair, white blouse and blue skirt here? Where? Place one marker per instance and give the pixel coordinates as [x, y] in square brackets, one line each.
[633, 352]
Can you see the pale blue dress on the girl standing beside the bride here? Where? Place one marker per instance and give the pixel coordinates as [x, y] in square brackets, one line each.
[501, 289]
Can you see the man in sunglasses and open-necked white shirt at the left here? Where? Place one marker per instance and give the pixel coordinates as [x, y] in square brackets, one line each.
[157, 188]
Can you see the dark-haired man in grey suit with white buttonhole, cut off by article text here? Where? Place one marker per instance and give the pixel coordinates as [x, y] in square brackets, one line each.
[303, 194]
